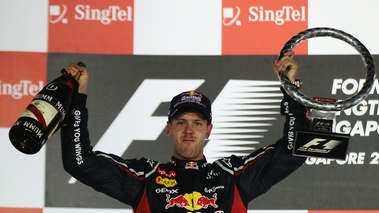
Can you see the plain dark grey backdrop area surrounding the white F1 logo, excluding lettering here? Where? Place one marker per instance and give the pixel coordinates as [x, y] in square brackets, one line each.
[115, 78]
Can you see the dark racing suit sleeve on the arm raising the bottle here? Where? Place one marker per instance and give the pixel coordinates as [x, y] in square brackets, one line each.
[105, 173]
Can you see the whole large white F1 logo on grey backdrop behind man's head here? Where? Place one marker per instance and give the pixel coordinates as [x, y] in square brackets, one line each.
[238, 102]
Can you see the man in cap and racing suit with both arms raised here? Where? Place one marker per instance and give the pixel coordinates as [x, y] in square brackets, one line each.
[187, 183]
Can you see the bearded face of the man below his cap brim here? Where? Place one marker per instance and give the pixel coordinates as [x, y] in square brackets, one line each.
[189, 130]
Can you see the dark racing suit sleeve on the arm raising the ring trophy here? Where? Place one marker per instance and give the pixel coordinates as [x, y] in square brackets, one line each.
[259, 171]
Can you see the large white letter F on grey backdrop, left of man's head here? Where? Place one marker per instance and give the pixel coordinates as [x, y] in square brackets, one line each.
[146, 99]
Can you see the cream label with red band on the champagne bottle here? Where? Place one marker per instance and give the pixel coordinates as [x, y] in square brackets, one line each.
[41, 111]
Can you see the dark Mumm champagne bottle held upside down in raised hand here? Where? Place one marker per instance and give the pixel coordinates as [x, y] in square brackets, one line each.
[45, 114]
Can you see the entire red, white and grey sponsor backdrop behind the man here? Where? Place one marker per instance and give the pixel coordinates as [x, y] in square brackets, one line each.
[141, 53]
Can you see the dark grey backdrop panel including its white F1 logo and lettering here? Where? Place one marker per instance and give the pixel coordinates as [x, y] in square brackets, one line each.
[320, 184]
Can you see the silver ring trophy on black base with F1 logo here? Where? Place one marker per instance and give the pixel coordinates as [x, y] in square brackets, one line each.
[321, 141]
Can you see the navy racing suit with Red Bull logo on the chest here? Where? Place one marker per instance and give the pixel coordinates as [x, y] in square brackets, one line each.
[226, 185]
